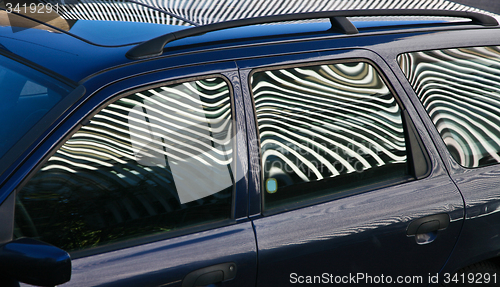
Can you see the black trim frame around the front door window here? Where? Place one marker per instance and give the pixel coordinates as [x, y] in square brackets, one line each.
[142, 239]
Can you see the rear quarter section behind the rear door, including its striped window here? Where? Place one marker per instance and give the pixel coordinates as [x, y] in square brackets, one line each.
[456, 90]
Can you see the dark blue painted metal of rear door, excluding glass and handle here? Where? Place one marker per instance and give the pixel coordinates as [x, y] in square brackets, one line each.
[364, 233]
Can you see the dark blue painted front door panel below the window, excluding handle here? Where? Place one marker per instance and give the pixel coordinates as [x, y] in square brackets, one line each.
[167, 262]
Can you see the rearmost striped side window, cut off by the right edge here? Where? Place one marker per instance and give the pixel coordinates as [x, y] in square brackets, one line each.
[460, 90]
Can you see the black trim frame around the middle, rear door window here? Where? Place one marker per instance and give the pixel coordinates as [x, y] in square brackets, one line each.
[413, 142]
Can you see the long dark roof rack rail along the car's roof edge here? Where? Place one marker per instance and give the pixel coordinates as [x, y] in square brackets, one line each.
[154, 47]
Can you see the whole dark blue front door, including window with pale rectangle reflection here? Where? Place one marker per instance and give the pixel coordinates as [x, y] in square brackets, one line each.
[143, 185]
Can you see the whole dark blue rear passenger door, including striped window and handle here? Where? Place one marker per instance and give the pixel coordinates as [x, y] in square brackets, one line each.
[346, 186]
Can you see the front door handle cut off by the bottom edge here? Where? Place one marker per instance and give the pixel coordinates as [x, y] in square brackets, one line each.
[210, 275]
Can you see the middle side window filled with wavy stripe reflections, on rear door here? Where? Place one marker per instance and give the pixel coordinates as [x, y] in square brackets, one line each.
[326, 129]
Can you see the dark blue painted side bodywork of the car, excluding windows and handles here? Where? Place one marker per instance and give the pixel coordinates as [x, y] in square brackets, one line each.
[364, 232]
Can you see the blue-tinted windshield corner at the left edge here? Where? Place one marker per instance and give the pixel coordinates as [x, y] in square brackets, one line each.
[26, 96]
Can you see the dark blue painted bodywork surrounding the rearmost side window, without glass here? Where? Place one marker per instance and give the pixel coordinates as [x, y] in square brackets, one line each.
[479, 187]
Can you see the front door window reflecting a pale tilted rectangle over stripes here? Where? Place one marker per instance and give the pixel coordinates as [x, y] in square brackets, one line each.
[153, 161]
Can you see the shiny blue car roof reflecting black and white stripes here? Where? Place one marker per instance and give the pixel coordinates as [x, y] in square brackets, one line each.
[92, 40]
